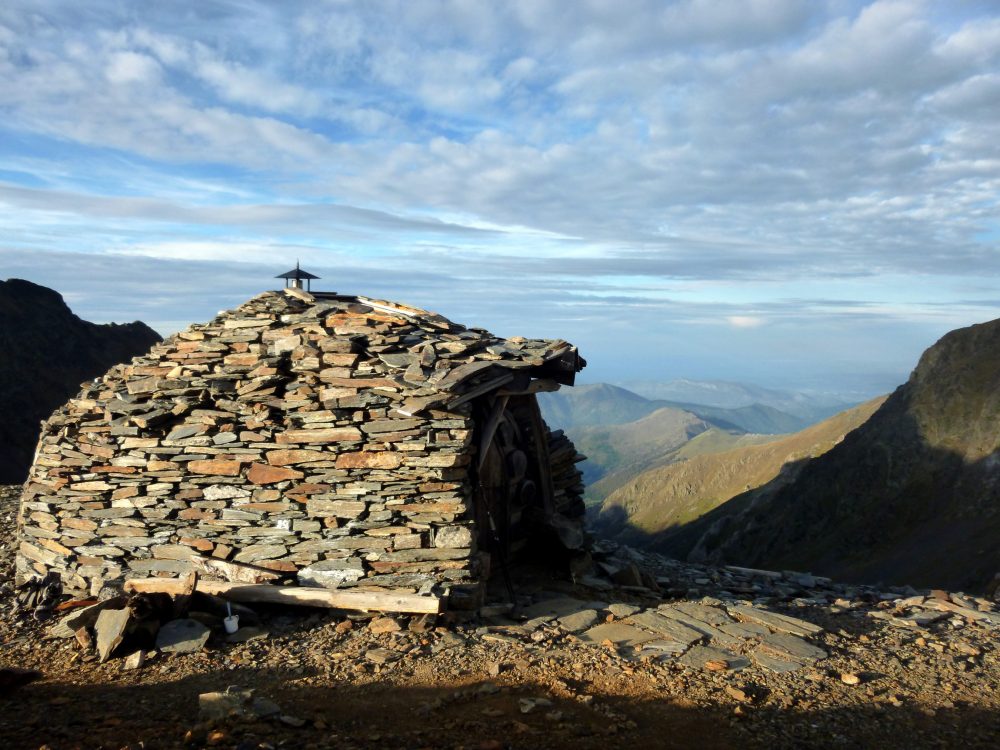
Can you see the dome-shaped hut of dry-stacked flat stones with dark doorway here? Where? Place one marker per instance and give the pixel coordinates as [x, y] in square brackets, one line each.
[345, 441]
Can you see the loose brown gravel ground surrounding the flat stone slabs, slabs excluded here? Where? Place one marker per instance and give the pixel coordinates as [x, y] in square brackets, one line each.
[494, 683]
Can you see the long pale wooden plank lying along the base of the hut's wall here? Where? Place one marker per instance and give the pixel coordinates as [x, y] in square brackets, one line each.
[305, 596]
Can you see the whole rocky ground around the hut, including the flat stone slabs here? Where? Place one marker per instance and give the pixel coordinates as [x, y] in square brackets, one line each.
[716, 658]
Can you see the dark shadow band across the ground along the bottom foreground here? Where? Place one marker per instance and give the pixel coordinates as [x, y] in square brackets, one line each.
[474, 714]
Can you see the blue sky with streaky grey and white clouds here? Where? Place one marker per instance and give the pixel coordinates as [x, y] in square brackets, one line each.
[793, 193]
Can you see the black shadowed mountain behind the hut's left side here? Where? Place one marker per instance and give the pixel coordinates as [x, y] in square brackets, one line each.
[48, 352]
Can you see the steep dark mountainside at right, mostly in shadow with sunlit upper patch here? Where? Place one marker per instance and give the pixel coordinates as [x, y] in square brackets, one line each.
[912, 495]
